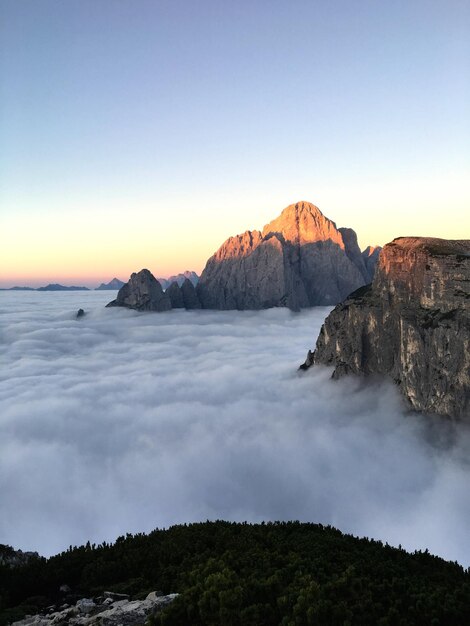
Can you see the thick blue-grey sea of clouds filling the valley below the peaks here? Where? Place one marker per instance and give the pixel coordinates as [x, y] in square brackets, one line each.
[122, 422]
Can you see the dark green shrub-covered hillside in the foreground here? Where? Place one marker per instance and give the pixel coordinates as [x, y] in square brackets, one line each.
[262, 574]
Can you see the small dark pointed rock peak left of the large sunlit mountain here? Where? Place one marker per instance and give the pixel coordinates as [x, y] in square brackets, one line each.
[142, 292]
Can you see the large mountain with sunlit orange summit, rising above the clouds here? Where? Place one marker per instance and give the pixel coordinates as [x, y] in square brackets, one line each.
[300, 259]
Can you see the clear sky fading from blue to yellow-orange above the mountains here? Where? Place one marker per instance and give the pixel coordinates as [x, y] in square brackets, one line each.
[142, 133]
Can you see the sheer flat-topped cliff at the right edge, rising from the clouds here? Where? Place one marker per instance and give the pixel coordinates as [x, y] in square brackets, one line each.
[412, 325]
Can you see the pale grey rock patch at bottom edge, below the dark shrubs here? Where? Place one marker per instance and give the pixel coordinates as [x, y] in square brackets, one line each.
[107, 610]
